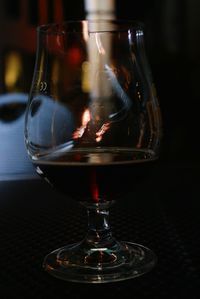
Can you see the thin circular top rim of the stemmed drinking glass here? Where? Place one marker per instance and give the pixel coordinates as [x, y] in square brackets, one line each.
[60, 28]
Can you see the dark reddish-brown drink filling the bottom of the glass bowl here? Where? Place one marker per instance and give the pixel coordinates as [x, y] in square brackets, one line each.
[96, 176]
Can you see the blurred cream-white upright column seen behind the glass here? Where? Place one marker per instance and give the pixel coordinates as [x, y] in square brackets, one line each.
[98, 10]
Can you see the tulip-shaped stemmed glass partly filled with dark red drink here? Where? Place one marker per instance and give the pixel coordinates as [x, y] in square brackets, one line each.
[92, 127]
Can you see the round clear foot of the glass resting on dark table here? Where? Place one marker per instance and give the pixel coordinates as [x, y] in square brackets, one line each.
[99, 265]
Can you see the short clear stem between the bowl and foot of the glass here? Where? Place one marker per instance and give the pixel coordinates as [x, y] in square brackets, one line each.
[99, 232]
